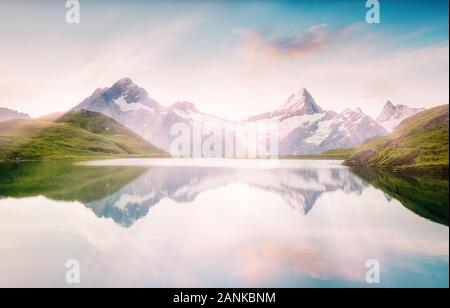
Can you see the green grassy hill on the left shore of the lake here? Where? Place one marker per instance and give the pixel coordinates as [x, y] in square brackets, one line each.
[74, 136]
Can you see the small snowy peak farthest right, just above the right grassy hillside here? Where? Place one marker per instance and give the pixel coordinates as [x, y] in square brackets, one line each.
[392, 115]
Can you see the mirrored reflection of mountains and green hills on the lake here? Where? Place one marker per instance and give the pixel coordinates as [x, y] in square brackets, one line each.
[126, 193]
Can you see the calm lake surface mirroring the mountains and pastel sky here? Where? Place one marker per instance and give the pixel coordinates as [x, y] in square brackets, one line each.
[224, 223]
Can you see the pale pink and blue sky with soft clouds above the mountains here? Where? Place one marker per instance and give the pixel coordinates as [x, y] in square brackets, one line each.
[234, 58]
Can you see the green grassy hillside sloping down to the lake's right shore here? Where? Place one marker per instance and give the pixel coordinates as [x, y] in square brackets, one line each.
[420, 143]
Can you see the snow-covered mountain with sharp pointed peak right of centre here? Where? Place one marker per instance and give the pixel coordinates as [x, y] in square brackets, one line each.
[305, 128]
